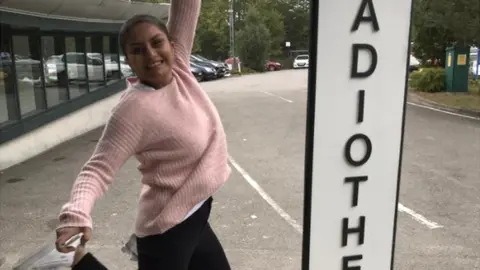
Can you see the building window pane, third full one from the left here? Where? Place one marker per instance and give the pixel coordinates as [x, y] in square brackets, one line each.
[76, 66]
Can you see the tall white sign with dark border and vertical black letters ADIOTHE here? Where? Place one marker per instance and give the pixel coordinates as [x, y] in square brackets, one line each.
[356, 112]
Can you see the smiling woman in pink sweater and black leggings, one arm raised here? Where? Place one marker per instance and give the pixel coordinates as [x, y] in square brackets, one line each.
[168, 122]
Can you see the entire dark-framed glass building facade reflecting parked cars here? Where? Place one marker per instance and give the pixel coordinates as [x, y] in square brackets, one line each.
[52, 67]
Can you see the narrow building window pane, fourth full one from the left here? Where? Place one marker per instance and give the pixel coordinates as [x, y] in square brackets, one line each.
[96, 74]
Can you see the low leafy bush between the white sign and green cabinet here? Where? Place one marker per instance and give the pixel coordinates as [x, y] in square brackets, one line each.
[428, 80]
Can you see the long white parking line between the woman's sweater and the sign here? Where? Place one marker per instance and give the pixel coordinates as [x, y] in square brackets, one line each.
[266, 197]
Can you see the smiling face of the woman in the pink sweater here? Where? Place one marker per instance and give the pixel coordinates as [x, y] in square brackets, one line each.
[150, 54]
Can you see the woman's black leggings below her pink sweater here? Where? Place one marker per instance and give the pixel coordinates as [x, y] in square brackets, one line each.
[191, 245]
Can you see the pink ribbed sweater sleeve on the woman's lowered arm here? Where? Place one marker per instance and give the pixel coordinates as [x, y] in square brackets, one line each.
[120, 140]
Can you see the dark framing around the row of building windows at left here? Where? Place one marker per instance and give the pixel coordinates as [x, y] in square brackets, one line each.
[37, 27]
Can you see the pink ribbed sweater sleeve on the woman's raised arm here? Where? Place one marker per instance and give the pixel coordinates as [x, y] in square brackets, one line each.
[182, 25]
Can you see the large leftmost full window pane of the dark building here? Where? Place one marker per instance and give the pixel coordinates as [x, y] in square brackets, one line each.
[28, 68]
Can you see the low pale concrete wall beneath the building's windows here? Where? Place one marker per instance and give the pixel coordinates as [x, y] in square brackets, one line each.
[57, 132]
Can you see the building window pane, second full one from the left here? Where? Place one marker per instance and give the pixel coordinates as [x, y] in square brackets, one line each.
[56, 79]
